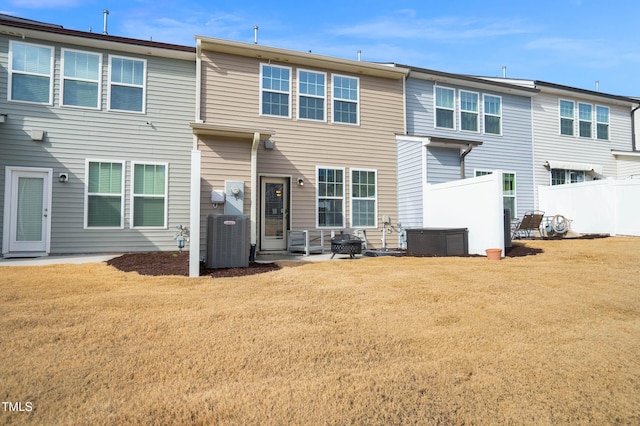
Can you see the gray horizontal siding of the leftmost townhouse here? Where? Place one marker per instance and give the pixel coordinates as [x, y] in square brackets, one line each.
[74, 135]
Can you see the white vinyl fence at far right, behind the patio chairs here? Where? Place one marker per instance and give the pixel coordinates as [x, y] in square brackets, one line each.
[596, 207]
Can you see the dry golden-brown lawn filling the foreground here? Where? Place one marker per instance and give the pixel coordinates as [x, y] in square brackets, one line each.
[546, 339]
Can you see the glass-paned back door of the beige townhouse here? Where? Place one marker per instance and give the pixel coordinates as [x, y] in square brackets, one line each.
[274, 214]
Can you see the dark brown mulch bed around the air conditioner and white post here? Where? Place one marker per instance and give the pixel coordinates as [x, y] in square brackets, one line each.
[172, 263]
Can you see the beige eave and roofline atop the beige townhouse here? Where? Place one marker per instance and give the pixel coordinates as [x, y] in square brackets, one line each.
[275, 54]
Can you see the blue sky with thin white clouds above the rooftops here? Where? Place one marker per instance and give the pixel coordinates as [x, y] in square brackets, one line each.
[578, 43]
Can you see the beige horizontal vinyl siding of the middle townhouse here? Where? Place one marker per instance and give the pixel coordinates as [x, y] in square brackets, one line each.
[231, 94]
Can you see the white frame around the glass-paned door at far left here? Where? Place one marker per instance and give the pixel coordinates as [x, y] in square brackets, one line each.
[10, 203]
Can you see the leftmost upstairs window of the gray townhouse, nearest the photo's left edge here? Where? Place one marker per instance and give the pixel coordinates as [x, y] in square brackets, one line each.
[30, 73]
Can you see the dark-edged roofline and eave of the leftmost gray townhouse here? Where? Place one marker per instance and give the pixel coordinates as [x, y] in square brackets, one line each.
[47, 32]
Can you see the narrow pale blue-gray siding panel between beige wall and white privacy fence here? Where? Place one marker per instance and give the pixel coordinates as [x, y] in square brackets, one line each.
[410, 195]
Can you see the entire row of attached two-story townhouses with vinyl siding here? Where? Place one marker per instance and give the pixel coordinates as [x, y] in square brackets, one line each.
[108, 143]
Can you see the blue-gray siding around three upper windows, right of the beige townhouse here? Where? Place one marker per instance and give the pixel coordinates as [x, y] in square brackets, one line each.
[512, 151]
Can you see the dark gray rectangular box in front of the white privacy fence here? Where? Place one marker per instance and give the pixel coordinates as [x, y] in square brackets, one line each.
[437, 241]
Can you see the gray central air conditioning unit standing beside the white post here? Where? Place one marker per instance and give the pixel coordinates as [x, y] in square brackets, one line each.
[228, 241]
